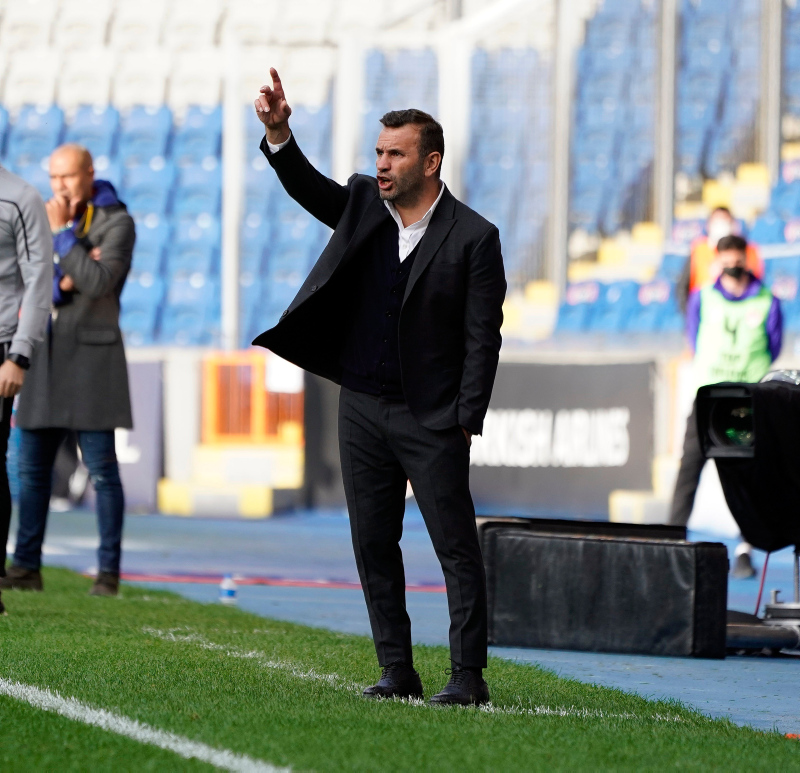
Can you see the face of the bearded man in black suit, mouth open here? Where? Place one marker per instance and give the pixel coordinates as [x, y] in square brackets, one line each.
[400, 170]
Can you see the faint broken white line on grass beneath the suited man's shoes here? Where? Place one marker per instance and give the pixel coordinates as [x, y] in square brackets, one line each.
[187, 636]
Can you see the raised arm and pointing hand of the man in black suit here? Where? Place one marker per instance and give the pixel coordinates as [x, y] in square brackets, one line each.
[324, 198]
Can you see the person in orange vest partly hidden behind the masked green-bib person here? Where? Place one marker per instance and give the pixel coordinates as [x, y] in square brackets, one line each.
[703, 266]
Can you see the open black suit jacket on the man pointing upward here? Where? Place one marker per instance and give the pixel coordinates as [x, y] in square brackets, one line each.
[452, 309]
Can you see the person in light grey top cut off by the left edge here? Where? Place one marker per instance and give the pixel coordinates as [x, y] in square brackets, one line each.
[26, 271]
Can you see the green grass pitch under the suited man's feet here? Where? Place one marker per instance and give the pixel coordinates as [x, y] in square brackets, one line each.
[288, 695]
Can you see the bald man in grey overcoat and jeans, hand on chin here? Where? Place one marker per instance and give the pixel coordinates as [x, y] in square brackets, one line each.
[78, 378]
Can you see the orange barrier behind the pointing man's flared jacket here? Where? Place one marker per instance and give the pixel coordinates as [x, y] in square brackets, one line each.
[238, 409]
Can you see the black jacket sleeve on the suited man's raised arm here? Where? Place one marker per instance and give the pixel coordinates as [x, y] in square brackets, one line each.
[324, 198]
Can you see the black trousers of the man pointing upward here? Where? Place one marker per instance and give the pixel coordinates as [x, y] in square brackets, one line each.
[382, 446]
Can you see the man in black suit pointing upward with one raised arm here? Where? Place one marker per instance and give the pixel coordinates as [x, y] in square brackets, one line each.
[403, 309]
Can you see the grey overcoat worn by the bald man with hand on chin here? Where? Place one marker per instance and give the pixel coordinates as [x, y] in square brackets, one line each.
[79, 377]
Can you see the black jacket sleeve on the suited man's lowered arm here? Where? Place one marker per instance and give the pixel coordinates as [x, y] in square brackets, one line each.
[483, 318]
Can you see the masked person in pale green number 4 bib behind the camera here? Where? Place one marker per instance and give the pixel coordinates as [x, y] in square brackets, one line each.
[735, 328]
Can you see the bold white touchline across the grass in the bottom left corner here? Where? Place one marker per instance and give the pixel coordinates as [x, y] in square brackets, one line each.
[131, 728]
